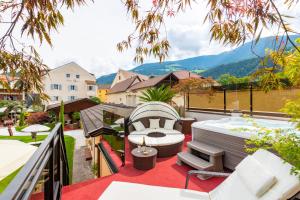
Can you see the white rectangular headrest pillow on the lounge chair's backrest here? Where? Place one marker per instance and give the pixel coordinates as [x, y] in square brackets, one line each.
[261, 182]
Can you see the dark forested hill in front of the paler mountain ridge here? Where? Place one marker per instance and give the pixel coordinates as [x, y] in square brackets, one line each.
[238, 69]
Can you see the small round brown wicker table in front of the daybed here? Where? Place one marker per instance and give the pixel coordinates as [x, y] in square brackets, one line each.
[144, 161]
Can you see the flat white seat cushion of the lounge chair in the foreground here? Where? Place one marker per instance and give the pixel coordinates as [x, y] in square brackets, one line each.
[121, 190]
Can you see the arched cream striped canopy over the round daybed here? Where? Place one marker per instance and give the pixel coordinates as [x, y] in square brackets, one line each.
[154, 109]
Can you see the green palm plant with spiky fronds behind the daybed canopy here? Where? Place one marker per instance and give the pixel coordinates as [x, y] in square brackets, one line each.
[162, 93]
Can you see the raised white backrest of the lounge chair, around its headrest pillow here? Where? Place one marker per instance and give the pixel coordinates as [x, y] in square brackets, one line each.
[287, 185]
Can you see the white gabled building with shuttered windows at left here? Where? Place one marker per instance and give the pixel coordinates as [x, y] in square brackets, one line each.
[69, 82]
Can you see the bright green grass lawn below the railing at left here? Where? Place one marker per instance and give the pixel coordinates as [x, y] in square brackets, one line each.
[69, 141]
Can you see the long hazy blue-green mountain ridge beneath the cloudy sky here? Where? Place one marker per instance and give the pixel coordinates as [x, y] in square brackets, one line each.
[202, 63]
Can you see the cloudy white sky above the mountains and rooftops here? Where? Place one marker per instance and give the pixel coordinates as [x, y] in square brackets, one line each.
[90, 34]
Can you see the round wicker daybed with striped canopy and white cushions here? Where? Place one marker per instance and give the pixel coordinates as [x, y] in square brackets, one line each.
[171, 140]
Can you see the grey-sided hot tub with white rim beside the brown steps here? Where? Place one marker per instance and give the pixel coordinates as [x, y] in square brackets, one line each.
[230, 134]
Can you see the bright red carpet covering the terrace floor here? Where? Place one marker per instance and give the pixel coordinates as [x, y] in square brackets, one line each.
[166, 173]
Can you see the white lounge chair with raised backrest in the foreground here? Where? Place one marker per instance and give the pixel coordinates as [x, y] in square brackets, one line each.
[262, 176]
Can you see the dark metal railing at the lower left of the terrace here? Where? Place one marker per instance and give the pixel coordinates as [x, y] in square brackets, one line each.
[45, 172]
